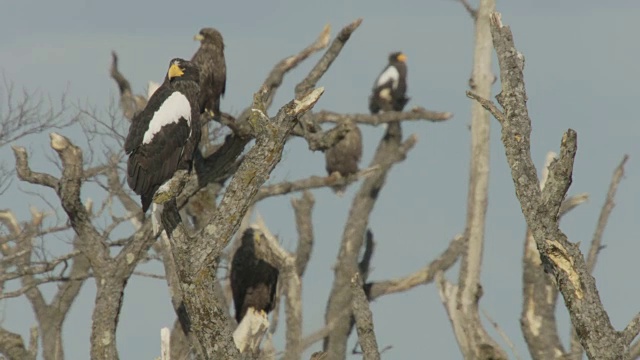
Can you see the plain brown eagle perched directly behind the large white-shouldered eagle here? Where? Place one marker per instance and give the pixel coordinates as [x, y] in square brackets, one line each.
[213, 69]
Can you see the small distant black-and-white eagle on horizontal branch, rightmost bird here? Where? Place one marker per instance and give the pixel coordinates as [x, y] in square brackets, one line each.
[391, 86]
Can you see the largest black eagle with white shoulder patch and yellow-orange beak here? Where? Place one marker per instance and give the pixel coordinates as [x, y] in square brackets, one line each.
[164, 136]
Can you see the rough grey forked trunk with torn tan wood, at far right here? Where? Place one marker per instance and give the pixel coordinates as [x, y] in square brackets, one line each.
[560, 257]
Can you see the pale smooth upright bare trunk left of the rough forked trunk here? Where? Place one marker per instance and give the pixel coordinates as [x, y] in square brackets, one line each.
[462, 300]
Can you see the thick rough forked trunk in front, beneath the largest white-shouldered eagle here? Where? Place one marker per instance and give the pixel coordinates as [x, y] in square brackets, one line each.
[197, 257]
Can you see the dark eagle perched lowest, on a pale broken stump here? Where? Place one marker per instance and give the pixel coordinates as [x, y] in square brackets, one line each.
[253, 281]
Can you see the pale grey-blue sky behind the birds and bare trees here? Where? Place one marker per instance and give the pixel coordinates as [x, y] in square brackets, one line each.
[581, 73]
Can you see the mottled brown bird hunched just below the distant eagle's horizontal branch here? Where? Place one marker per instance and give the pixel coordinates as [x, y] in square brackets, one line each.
[343, 157]
